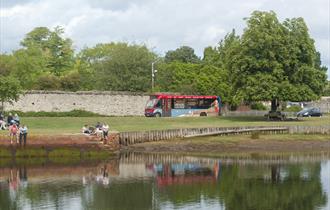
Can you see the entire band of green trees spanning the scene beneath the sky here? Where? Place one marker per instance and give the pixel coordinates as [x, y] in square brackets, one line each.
[271, 60]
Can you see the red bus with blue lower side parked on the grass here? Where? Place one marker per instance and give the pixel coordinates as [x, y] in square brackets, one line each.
[169, 105]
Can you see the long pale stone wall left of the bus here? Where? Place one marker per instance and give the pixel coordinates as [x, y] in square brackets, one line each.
[106, 103]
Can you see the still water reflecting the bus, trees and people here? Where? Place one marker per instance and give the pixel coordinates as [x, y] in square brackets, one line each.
[141, 181]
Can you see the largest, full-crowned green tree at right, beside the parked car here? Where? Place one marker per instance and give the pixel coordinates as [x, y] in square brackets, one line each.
[276, 61]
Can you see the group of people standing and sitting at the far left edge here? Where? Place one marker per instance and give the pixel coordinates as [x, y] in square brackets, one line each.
[17, 132]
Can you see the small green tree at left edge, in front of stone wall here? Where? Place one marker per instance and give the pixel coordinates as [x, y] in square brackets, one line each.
[10, 90]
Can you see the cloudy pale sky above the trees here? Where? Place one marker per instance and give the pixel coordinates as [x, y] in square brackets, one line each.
[160, 24]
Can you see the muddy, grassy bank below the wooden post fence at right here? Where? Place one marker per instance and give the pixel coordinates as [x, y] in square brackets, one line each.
[236, 145]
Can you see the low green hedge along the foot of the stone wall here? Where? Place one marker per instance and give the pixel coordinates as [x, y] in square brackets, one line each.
[73, 113]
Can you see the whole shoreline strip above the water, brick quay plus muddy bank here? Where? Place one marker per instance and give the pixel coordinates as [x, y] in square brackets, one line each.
[207, 146]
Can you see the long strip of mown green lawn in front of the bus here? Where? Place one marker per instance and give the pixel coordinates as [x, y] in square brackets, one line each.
[69, 125]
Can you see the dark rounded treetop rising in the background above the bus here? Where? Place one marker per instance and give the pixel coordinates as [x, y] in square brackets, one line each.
[183, 54]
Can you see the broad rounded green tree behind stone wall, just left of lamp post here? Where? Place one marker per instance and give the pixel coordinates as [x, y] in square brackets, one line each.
[117, 66]
